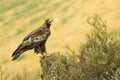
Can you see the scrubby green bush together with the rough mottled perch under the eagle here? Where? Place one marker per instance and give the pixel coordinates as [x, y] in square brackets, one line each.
[98, 58]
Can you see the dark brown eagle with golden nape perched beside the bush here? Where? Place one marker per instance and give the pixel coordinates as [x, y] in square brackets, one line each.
[35, 40]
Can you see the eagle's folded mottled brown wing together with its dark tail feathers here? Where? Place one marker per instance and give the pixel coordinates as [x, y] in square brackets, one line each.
[30, 41]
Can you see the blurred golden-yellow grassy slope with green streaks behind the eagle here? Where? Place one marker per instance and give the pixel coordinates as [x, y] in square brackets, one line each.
[18, 18]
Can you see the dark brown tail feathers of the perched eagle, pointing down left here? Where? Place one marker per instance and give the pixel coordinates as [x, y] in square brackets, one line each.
[18, 52]
